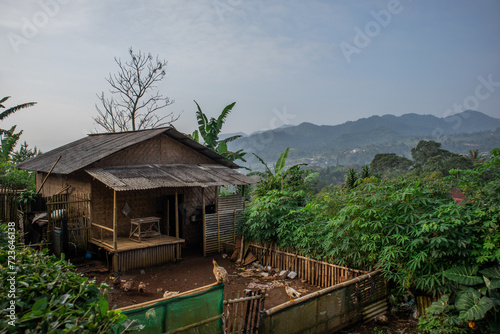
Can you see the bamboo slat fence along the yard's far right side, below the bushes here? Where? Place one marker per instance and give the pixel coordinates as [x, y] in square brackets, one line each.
[318, 273]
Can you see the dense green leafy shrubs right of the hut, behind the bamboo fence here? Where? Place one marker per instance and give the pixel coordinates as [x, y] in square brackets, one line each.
[412, 229]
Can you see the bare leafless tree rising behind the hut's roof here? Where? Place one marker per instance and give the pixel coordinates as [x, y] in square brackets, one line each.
[135, 100]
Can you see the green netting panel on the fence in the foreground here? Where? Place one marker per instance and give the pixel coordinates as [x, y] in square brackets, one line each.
[174, 313]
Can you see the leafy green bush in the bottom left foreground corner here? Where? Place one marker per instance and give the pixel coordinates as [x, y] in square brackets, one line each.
[51, 297]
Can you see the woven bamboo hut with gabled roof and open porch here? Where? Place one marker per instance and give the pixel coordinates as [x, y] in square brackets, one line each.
[150, 191]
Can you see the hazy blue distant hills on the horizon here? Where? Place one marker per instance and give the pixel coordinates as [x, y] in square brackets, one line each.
[356, 142]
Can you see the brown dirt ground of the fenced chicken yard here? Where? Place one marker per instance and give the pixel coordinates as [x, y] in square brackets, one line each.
[192, 272]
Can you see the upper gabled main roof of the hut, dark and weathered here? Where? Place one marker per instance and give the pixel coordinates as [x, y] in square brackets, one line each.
[83, 152]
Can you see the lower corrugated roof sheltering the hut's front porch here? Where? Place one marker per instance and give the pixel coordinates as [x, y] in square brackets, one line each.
[165, 176]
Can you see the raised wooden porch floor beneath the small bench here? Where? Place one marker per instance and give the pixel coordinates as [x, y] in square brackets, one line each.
[125, 244]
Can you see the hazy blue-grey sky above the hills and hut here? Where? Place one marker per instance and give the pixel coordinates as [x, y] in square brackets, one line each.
[283, 62]
